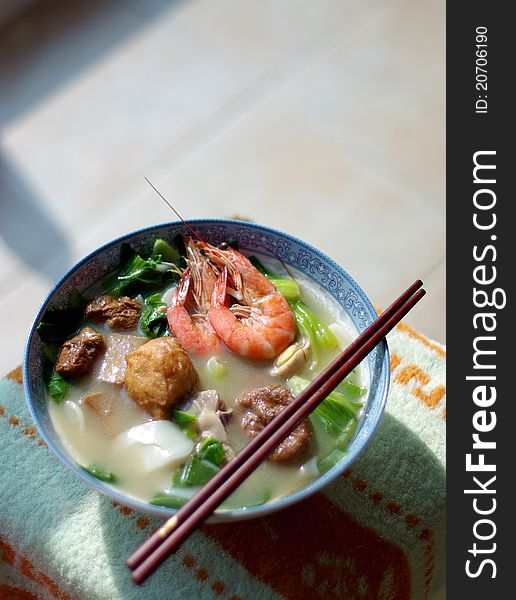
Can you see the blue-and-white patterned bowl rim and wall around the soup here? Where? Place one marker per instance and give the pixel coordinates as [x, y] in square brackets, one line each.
[250, 237]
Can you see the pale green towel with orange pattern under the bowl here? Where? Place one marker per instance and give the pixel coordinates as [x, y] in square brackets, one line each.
[378, 532]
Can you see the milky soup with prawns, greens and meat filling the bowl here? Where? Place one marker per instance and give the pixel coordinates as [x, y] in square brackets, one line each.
[165, 370]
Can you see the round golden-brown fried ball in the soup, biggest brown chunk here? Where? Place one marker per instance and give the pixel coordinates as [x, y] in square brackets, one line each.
[158, 375]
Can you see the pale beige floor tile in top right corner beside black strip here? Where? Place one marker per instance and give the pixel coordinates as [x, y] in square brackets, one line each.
[381, 97]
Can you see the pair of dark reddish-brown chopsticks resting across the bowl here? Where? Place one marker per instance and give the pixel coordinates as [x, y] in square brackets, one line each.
[165, 540]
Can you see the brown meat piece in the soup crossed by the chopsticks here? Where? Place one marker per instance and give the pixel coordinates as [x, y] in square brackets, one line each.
[260, 406]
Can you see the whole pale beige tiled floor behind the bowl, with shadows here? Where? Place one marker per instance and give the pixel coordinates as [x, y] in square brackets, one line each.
[325, 119]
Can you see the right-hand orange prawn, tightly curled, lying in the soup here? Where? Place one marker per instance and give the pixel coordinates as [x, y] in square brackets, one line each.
[260, 323]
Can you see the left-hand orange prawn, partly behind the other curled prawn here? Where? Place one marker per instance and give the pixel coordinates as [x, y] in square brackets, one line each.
[187, 313]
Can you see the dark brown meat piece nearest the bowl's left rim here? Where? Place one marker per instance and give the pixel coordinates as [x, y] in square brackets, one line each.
[78, 354]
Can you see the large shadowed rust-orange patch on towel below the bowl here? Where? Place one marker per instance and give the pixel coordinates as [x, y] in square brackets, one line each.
[313, 550]
